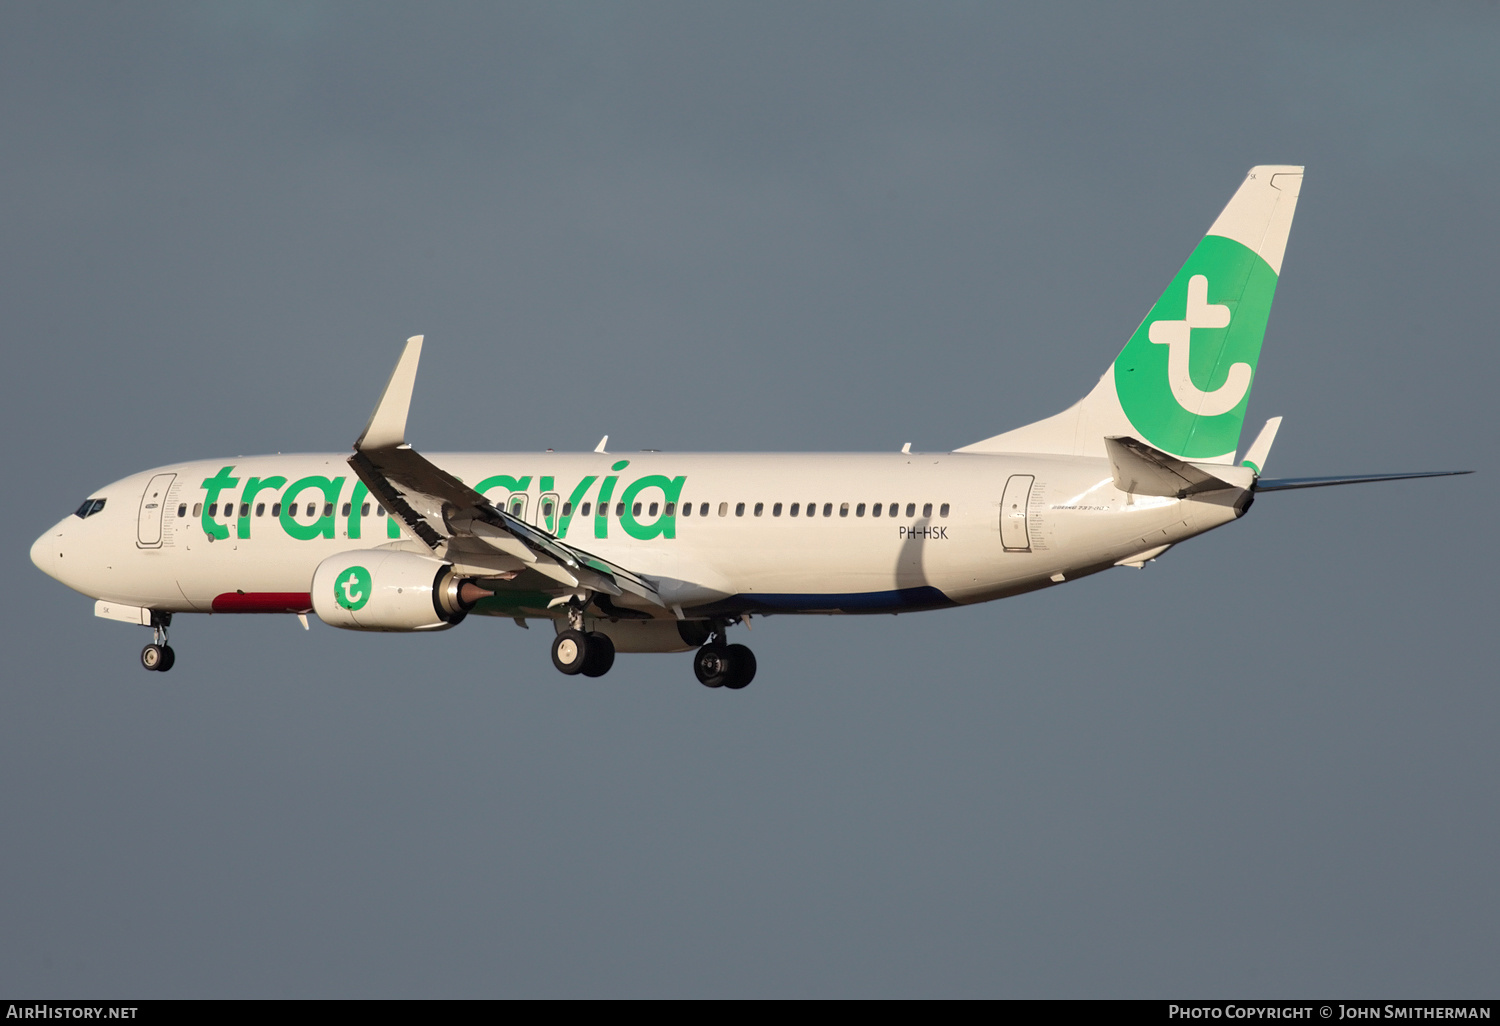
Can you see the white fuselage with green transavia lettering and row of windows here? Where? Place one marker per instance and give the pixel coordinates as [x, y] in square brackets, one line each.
[890, 533]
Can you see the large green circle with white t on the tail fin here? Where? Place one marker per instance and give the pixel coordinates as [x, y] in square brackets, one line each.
[1184, 377]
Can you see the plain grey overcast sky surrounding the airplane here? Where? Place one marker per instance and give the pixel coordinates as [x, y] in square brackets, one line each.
[1264, 766]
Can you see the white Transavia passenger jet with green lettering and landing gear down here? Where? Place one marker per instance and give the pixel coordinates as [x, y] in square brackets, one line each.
[661, 553]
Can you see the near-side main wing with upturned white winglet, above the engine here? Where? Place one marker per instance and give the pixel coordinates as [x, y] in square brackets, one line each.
[454, 520]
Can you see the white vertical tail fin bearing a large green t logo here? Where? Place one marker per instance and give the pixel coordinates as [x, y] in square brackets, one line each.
[1183, 382]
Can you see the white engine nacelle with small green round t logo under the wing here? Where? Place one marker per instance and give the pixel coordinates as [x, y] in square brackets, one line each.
[391, 590]
